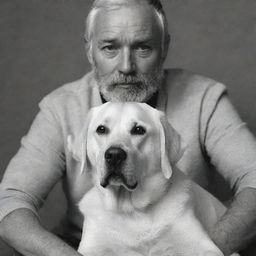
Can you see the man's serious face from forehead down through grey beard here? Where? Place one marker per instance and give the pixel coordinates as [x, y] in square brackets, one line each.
[126, 53]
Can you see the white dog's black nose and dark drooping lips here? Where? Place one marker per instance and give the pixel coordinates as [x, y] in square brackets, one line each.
[114, 159]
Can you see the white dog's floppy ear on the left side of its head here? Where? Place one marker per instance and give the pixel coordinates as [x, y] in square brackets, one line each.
[77, 145]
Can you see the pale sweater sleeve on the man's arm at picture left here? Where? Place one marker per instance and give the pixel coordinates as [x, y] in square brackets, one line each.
[37, 166]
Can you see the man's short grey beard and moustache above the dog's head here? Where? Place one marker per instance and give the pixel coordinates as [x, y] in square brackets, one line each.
[133, 87]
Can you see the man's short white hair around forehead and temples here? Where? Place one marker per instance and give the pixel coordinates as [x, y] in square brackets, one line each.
[108, 4]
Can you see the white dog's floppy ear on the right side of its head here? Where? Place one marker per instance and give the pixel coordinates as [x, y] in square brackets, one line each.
[171, 146]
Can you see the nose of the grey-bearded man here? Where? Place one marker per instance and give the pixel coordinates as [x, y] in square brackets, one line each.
[126, 62]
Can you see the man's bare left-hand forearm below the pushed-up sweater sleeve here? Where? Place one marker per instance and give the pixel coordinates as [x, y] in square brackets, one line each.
[32, 239]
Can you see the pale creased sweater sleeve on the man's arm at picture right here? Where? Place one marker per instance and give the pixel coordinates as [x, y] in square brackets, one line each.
[227, 141]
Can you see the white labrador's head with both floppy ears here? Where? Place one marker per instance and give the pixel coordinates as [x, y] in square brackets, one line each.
[126, 144]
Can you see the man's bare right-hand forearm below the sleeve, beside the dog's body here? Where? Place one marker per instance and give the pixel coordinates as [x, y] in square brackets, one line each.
[237, 227]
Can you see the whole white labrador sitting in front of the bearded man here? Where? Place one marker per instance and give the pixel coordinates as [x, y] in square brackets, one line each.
[141, 204]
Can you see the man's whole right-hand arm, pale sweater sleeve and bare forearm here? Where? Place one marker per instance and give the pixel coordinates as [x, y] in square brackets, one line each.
[231, 149]
